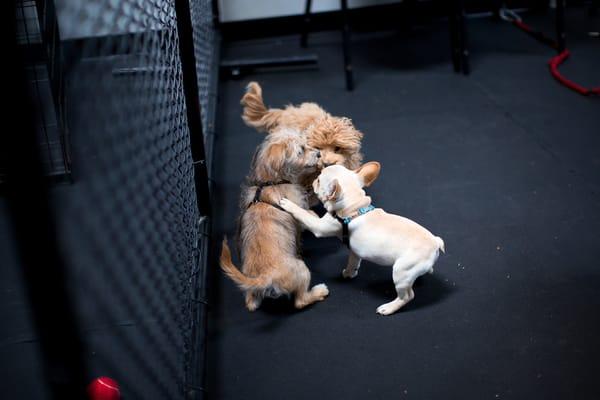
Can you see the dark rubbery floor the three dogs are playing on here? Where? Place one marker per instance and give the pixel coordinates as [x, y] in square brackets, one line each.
[503, 164]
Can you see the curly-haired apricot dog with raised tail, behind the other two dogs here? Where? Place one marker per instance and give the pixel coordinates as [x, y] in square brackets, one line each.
[336, 137]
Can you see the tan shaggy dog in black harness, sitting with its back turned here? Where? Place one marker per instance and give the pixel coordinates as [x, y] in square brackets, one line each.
[269, 236]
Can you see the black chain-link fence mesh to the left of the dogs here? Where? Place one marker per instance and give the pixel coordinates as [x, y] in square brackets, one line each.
[131, 234]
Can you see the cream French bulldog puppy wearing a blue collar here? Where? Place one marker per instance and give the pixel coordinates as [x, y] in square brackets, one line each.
[373, 234]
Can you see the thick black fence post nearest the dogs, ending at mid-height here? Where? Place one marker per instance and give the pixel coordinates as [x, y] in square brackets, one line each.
[185, 35]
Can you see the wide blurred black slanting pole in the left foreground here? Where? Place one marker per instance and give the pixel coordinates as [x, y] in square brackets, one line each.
[43, 268]
